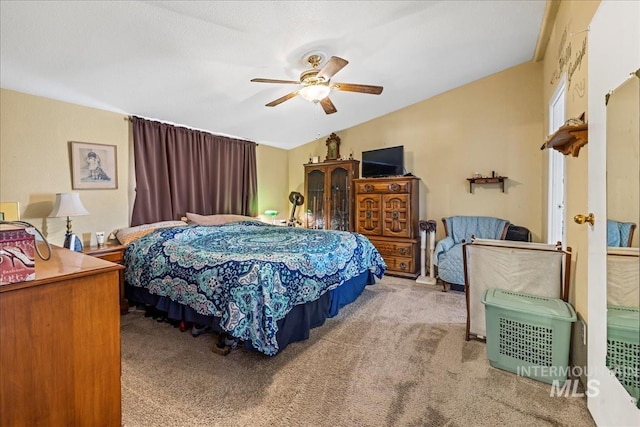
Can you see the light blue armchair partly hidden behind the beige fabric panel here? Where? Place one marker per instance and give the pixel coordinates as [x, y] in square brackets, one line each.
[459, 229]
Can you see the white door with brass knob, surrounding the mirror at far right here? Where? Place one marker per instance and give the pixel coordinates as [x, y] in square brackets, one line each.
[614, 52]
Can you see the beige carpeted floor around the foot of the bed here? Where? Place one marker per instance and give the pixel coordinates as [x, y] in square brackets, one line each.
[395, 357]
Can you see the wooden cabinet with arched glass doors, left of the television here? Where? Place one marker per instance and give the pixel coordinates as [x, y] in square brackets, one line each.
[329, 196]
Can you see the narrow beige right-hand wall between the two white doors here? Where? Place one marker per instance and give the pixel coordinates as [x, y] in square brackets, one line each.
[566, 58]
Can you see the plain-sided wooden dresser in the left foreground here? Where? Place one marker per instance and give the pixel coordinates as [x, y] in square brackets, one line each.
[60, 344]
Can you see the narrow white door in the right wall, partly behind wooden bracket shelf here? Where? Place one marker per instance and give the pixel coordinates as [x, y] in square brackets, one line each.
[556, 214]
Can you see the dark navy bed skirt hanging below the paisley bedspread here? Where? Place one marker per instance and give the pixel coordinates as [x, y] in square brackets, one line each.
[295, 326]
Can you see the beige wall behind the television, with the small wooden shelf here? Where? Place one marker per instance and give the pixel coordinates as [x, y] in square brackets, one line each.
[493, 124]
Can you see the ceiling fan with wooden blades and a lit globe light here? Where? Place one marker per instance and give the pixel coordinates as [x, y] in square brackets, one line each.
[317, 83]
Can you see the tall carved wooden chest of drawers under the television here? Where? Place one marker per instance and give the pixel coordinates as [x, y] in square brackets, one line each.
[387, 211]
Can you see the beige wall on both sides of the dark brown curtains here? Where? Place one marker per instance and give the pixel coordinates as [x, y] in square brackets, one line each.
[35, 164]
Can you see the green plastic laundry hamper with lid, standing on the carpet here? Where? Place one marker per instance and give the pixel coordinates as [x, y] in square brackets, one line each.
[528, 335]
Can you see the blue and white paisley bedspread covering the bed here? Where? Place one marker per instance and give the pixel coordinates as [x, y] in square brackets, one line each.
[249, 274]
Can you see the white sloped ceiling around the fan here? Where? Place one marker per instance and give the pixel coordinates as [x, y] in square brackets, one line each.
[191, 62]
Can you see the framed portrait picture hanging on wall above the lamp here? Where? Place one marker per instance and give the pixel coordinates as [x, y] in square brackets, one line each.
[93, 166]
